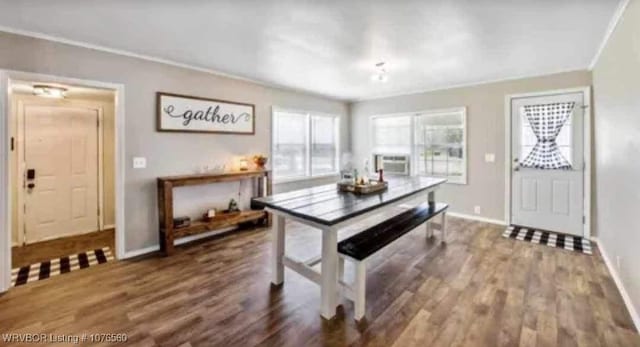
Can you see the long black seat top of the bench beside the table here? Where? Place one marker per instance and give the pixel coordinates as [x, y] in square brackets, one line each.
[369, 241]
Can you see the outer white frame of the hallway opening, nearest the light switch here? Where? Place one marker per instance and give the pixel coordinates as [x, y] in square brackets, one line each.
[6, 180]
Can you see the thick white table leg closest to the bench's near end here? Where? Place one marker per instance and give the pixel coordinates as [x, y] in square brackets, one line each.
[329, 275]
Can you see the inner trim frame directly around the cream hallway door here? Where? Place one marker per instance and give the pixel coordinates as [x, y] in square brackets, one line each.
[20, 114]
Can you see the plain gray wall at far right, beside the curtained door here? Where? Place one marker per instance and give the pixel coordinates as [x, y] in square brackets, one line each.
[616, 83]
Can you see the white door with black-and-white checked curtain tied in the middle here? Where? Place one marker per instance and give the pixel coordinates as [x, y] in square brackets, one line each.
[543, 197]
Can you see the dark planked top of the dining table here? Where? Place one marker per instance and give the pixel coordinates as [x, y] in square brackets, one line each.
[328, 206]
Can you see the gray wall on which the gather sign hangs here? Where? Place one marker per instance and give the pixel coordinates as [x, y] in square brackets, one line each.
[166, 153]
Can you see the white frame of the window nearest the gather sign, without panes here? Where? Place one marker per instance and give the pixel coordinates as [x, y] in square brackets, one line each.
[308, 115]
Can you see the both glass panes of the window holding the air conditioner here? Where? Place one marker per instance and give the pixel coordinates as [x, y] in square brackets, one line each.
[435, 141]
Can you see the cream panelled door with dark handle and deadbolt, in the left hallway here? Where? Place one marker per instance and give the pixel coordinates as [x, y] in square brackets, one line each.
[60, 171]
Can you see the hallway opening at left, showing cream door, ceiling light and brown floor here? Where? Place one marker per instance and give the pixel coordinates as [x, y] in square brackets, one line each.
[62, 159]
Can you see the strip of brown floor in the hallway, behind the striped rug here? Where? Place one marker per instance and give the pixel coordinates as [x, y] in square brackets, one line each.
[62, 247]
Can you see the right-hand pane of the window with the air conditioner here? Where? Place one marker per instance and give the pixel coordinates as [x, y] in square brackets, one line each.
[440, 144]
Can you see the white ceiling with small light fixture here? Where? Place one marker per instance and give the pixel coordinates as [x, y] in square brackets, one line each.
[331, 47]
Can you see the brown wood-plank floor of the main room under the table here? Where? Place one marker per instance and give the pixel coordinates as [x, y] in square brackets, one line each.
[478, 290]
